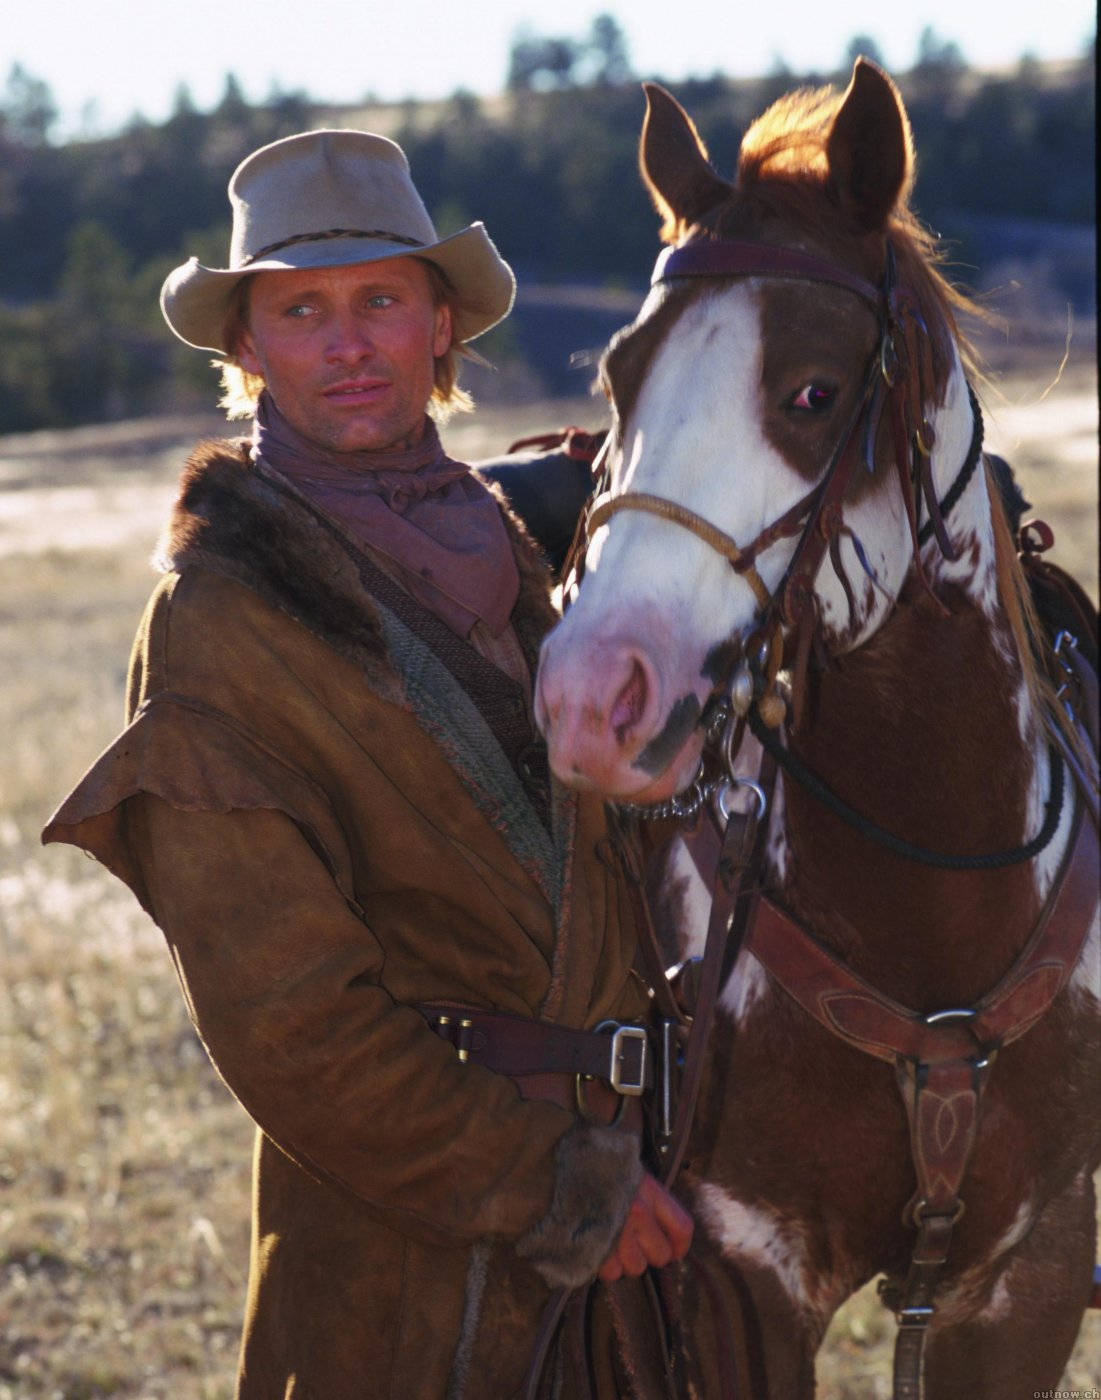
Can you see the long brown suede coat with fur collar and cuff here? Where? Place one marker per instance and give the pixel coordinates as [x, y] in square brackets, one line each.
[335, 811]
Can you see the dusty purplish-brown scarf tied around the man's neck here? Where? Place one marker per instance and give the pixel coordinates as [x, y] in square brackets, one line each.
[436, 524]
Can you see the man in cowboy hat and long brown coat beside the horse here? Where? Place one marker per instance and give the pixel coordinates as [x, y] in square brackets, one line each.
[333, 800]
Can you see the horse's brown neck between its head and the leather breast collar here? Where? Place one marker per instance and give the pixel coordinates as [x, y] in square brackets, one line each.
[927, 730]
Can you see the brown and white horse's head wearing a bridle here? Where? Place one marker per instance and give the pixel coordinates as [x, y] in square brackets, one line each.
[796, 345]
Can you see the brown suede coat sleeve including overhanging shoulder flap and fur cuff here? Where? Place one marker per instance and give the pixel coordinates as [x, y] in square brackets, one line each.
[240, 857]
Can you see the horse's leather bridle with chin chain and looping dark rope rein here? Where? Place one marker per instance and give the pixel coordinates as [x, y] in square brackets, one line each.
[753, 694]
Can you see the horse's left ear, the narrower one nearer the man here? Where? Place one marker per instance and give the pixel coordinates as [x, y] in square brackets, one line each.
[674, 163]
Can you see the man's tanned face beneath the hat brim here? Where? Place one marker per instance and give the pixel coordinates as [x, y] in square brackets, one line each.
[348, 353]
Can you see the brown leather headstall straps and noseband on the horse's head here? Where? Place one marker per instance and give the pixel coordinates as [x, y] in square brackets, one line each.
[899, 376]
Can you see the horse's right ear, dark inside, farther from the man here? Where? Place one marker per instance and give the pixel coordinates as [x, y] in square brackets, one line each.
[869, 149]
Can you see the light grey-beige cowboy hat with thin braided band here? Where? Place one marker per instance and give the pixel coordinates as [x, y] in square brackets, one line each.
[327, 199]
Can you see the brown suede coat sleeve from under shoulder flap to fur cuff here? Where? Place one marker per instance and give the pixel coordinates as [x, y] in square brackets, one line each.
[282, 982]
